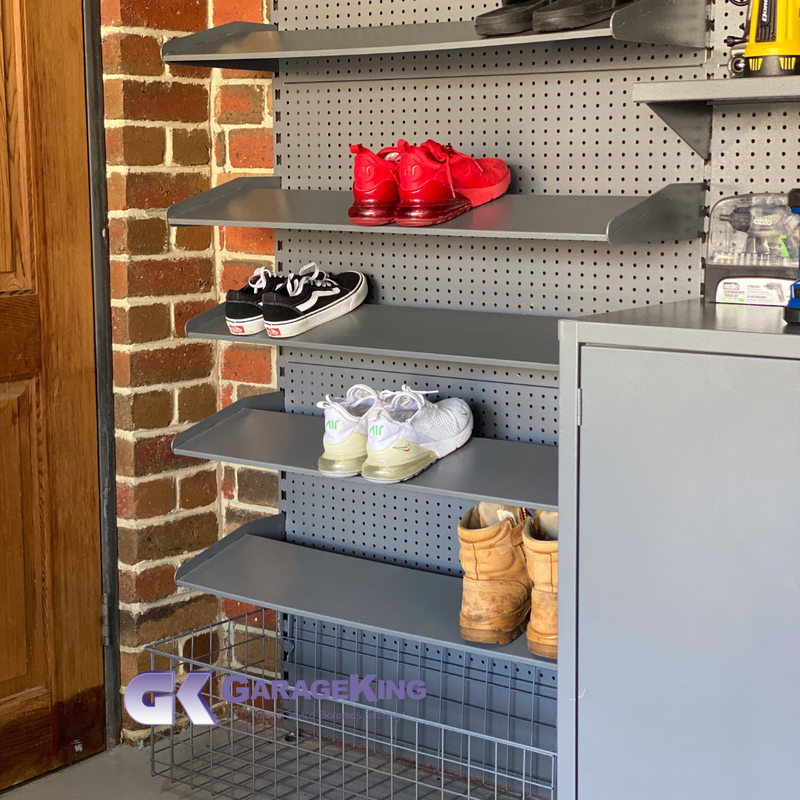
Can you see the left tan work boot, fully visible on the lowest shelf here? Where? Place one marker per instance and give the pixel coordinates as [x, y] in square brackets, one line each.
[495, 600]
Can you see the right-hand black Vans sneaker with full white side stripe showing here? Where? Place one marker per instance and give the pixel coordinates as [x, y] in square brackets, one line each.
[311, 298]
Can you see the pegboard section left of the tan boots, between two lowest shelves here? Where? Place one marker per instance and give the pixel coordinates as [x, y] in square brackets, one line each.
[392, 524]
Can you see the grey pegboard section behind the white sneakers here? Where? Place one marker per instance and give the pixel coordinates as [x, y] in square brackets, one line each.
[509, 411]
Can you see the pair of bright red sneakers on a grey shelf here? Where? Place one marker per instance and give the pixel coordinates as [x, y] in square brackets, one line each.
[421, 185]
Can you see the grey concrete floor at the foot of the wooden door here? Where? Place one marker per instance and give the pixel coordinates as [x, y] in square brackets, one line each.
[120, 774]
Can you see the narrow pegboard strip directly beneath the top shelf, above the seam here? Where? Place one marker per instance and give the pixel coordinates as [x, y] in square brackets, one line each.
[550, 57]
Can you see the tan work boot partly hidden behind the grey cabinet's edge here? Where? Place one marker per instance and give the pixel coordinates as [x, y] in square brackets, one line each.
[540, 539]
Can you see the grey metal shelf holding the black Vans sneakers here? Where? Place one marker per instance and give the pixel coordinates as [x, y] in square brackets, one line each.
[524, 341]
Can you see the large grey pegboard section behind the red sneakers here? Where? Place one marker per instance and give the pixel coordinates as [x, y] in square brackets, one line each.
[560, 133]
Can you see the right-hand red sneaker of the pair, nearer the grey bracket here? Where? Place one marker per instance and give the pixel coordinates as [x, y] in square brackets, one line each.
[438, 183]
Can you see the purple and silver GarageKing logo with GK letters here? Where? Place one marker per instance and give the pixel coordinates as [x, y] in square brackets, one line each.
[235, 689]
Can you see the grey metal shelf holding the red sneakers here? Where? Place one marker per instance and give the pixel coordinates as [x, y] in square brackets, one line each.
[672, 213]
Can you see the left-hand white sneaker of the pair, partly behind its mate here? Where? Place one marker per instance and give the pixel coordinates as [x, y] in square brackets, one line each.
[345, 437]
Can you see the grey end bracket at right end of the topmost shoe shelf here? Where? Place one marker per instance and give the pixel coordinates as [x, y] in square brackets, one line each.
[683, 23]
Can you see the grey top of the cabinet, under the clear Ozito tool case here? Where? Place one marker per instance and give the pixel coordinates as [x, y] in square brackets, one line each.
[694, 326]
